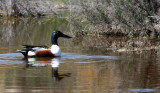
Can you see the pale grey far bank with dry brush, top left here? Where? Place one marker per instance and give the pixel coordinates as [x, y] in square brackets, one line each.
[36, 8]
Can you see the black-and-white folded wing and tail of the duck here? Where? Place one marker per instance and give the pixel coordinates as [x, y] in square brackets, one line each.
[29, 49]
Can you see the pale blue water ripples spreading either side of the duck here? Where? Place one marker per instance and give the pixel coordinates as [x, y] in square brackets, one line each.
[16, 58]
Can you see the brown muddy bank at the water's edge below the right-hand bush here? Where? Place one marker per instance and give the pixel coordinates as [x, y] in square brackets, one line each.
[120, 38]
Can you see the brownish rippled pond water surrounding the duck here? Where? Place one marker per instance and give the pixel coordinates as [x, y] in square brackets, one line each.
[80, 69]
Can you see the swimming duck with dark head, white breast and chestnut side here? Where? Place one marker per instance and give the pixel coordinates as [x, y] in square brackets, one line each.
[44, 51]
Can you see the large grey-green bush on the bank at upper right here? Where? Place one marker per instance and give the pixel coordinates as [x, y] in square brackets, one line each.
[122, 17]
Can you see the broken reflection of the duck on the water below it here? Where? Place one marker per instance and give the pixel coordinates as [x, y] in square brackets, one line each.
[43, 62]
